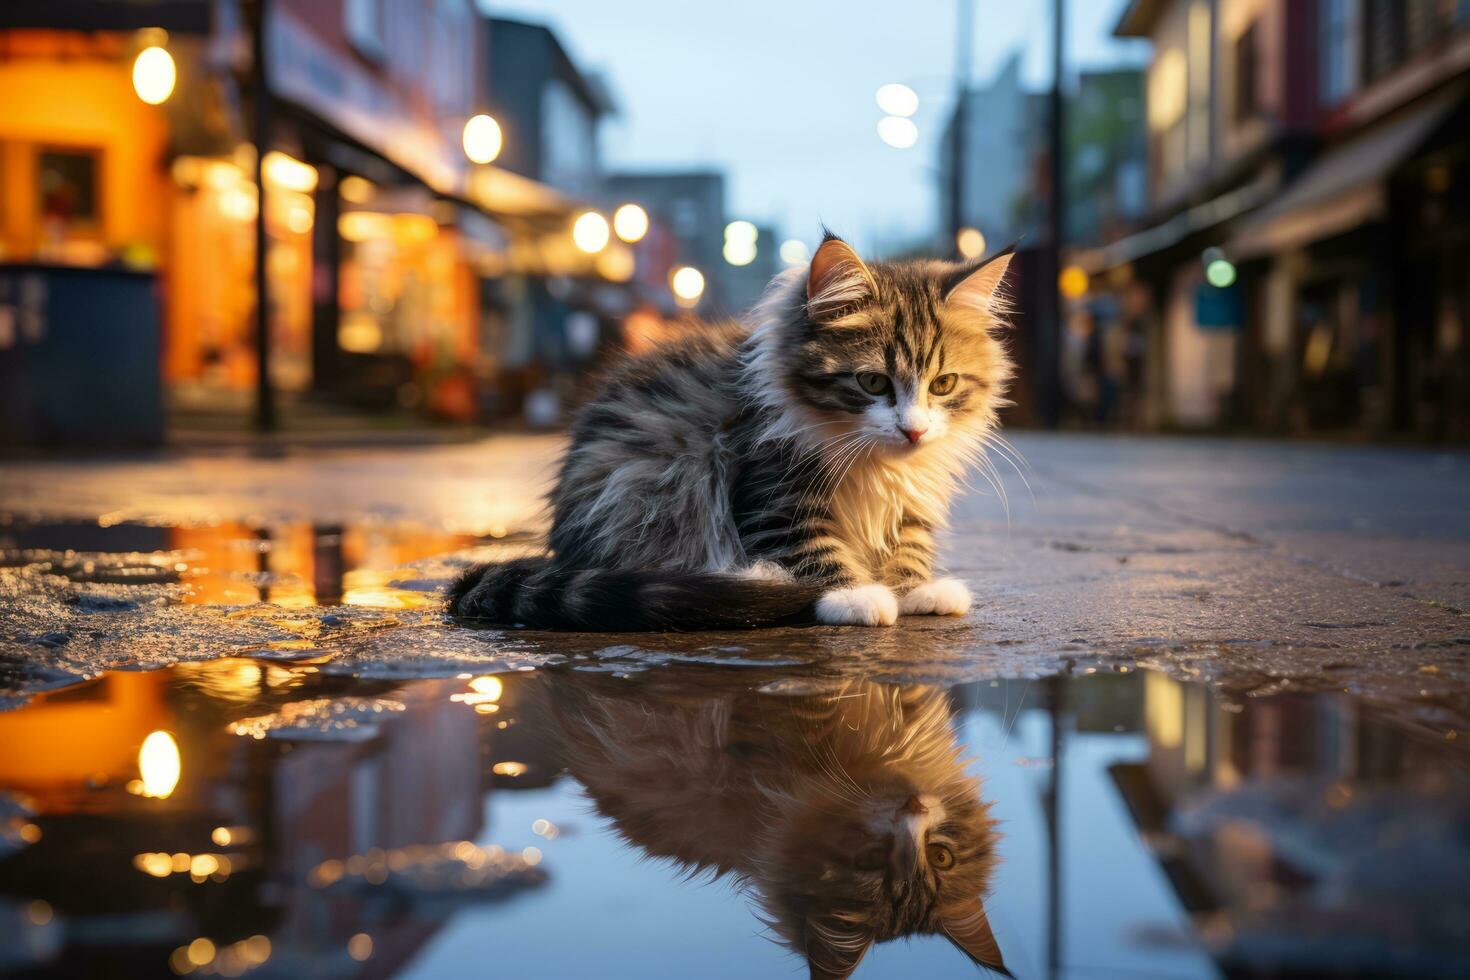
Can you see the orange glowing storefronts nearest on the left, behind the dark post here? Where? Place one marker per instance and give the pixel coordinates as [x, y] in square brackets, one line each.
[374, 274]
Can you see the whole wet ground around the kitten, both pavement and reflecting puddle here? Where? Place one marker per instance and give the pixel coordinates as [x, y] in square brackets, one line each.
[1215, 694]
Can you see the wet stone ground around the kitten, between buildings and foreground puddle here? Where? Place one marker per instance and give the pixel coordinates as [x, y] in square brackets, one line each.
[1253, 565]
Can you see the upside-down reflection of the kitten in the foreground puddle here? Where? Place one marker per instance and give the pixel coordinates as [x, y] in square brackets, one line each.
[849, 816]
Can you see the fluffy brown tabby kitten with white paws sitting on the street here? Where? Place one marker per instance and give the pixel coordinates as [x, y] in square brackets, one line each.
[792, 472]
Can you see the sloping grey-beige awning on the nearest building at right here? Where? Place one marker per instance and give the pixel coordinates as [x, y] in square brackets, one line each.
[1343, 190]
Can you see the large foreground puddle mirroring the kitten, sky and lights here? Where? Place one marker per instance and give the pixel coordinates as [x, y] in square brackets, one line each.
[271, 819]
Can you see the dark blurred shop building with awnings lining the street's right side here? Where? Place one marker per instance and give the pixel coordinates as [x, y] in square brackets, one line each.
[1303, 264]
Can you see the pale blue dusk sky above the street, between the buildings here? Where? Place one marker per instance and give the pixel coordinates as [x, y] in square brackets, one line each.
[780, 95]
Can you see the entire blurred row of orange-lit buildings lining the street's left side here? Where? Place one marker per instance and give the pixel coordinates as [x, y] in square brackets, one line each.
[404, 278]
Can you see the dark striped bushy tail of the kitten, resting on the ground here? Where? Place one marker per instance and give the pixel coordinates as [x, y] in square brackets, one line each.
[539, 594]
